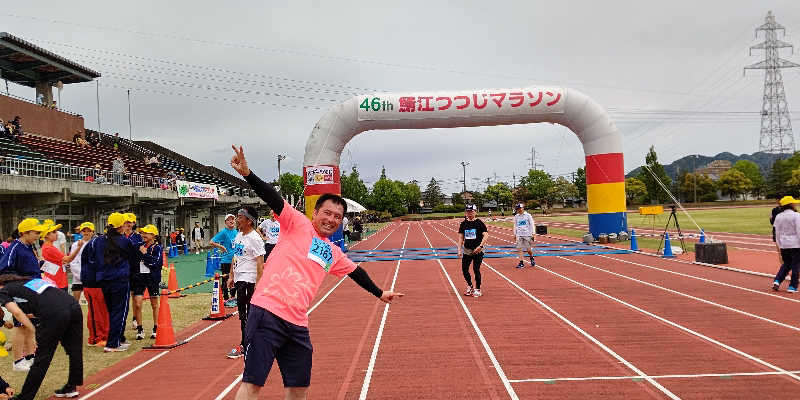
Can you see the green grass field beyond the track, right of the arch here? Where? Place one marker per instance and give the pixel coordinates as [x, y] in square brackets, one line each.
[740, 220]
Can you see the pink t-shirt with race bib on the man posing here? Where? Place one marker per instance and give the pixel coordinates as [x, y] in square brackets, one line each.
[296, 267]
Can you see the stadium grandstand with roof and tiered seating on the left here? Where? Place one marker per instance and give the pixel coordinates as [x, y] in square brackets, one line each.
[44, 174]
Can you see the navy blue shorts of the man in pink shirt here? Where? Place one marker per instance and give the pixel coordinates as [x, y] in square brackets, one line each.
[270, 338]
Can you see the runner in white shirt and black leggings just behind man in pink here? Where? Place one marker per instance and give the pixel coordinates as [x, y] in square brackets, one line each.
[248, 263]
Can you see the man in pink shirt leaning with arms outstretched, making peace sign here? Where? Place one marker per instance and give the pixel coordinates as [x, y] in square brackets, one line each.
[277, 324]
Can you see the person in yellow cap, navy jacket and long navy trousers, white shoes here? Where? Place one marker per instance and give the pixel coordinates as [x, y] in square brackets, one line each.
[107, 263]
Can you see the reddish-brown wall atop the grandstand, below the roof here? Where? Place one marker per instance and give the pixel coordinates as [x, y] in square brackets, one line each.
[40, 120]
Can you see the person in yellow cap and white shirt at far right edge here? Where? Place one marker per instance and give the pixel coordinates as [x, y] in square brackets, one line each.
[787, 236]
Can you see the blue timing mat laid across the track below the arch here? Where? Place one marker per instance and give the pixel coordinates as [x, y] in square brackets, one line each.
[425, 253]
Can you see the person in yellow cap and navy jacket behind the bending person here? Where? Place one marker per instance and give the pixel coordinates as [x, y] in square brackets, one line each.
[20, 259]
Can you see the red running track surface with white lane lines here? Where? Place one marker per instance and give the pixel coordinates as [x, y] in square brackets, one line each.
[617, 326]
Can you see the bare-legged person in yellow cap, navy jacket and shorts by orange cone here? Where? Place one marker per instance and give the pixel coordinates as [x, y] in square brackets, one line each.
[148, 276]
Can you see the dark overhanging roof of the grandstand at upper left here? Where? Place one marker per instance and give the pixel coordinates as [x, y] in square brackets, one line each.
[25, 63]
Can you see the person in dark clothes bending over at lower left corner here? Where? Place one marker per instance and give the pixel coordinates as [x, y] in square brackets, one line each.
[60, 320]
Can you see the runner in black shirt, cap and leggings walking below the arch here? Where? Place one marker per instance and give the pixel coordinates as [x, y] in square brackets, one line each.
[471, 236]
